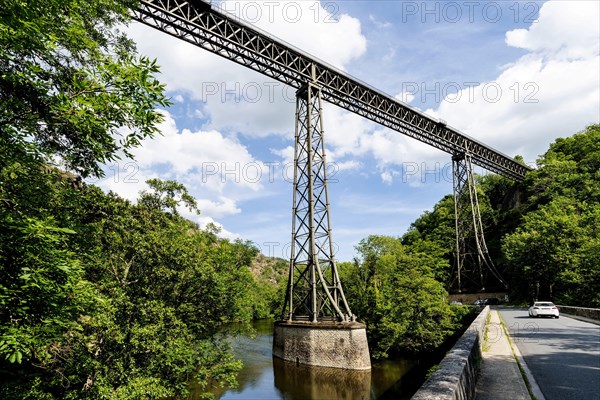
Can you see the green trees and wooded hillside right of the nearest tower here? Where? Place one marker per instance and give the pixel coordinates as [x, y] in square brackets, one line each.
[543, 234]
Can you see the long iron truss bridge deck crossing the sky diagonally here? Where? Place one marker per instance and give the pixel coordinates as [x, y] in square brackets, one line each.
[196, 22]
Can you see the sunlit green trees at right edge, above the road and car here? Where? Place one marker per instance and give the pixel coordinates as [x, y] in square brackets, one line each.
[553, 253]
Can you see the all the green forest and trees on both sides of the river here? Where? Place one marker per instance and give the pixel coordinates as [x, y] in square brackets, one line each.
[101, 297]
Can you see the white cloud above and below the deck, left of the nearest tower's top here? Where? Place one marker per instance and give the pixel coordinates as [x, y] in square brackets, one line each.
[241, 100]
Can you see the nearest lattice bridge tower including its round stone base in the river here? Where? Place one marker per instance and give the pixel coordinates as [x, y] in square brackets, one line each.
[316, 315]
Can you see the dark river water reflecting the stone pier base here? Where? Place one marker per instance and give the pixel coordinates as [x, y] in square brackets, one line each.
[265, 377]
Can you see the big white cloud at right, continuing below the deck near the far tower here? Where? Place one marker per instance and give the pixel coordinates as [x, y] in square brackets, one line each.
[552, 91]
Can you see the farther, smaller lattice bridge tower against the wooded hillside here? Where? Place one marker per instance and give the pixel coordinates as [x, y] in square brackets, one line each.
[472, 259]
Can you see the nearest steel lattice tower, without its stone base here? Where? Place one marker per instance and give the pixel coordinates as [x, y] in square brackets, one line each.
[314, 292]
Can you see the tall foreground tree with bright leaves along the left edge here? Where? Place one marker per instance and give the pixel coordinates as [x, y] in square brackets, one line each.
[71, 90]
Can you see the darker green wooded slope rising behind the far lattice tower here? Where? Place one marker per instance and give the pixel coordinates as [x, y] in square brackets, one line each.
[541, 233]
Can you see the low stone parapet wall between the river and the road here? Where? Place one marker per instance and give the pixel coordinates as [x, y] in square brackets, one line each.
[457, 374]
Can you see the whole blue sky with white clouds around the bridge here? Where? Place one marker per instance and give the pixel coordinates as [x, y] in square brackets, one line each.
[514, 75]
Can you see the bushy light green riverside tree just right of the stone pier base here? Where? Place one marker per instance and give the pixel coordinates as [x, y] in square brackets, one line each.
[393, 288]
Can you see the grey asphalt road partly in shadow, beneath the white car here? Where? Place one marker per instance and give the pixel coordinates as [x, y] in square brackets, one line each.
[562, 354]
